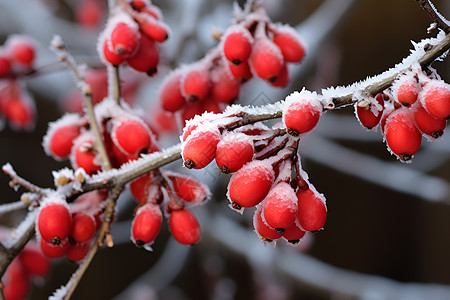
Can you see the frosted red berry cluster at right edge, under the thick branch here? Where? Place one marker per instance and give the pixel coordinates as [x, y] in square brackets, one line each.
[415, 105]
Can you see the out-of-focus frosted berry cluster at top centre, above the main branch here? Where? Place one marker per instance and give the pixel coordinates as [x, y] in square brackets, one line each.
[252, 46]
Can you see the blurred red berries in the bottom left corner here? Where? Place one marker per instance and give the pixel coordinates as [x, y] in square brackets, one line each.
[29, 264]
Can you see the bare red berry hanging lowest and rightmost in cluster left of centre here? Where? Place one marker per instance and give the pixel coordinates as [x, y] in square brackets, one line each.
[184, 227]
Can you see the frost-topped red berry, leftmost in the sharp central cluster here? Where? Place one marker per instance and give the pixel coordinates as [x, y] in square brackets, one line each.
[200, 148]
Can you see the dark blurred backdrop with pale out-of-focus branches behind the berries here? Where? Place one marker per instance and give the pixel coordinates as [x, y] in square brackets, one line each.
[386, 235]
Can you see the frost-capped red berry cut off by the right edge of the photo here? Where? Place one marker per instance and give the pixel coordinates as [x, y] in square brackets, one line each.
[435, 98]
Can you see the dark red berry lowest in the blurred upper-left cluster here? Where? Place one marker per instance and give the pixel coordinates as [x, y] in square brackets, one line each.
[146, 58]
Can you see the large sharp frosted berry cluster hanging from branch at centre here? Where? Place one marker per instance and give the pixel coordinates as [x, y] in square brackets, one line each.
[265, 163]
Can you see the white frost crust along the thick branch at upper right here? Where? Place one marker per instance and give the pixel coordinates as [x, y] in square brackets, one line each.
[407, 63]
